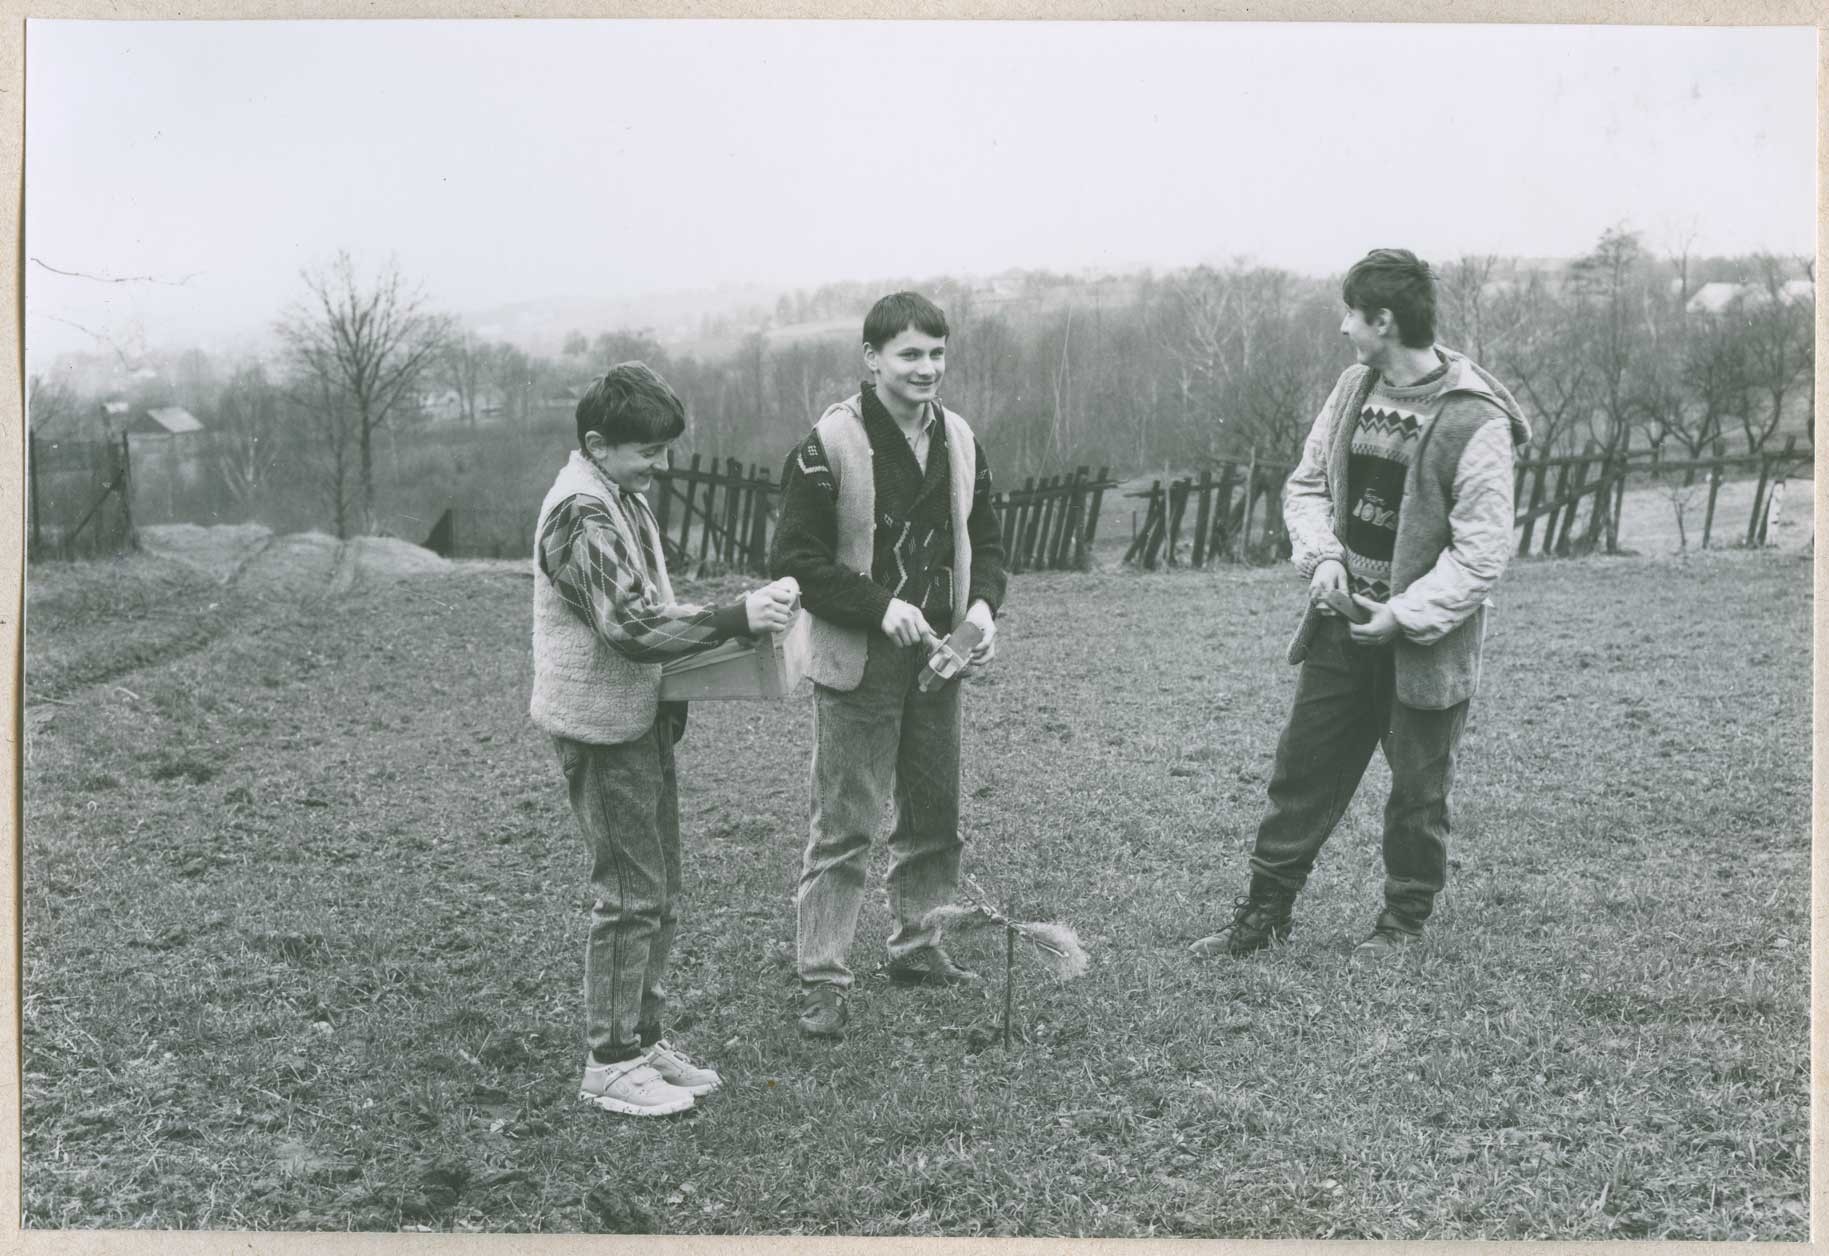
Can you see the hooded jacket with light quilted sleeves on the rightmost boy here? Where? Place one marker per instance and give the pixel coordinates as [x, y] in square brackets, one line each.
[1453, 526]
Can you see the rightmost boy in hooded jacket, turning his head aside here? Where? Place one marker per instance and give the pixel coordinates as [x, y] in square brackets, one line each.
[1404, 502]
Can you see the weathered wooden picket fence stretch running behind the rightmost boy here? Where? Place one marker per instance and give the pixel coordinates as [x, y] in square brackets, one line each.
[1548, 493]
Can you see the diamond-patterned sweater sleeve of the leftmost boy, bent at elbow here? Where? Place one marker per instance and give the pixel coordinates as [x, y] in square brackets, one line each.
[588, 560]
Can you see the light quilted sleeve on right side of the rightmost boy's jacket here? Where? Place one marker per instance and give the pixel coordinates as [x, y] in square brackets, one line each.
[1479, 548]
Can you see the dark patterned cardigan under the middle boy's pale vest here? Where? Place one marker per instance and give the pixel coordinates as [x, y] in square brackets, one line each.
[914, 542]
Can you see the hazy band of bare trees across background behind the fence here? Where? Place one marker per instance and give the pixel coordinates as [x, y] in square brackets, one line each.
[1621, 346]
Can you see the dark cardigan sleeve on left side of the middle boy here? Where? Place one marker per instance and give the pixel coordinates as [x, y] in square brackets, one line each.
[808, 544]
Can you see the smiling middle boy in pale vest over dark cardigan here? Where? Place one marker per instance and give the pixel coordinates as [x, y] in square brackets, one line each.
[890, 531]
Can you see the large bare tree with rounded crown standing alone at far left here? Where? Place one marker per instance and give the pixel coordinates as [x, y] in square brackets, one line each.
[361, 346]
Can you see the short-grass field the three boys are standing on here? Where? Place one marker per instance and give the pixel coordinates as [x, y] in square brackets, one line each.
[305, 921]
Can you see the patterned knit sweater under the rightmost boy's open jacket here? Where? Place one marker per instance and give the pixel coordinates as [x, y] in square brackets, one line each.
[1384, 445]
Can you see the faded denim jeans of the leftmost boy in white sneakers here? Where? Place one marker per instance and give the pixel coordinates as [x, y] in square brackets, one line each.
[628, 811]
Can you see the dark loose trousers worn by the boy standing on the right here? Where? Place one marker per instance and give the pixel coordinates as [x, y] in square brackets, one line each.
[1343, 710]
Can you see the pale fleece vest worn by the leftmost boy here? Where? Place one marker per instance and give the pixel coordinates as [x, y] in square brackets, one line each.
[586, 690]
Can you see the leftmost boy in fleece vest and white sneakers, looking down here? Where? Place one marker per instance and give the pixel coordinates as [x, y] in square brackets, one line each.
[604, 621]
